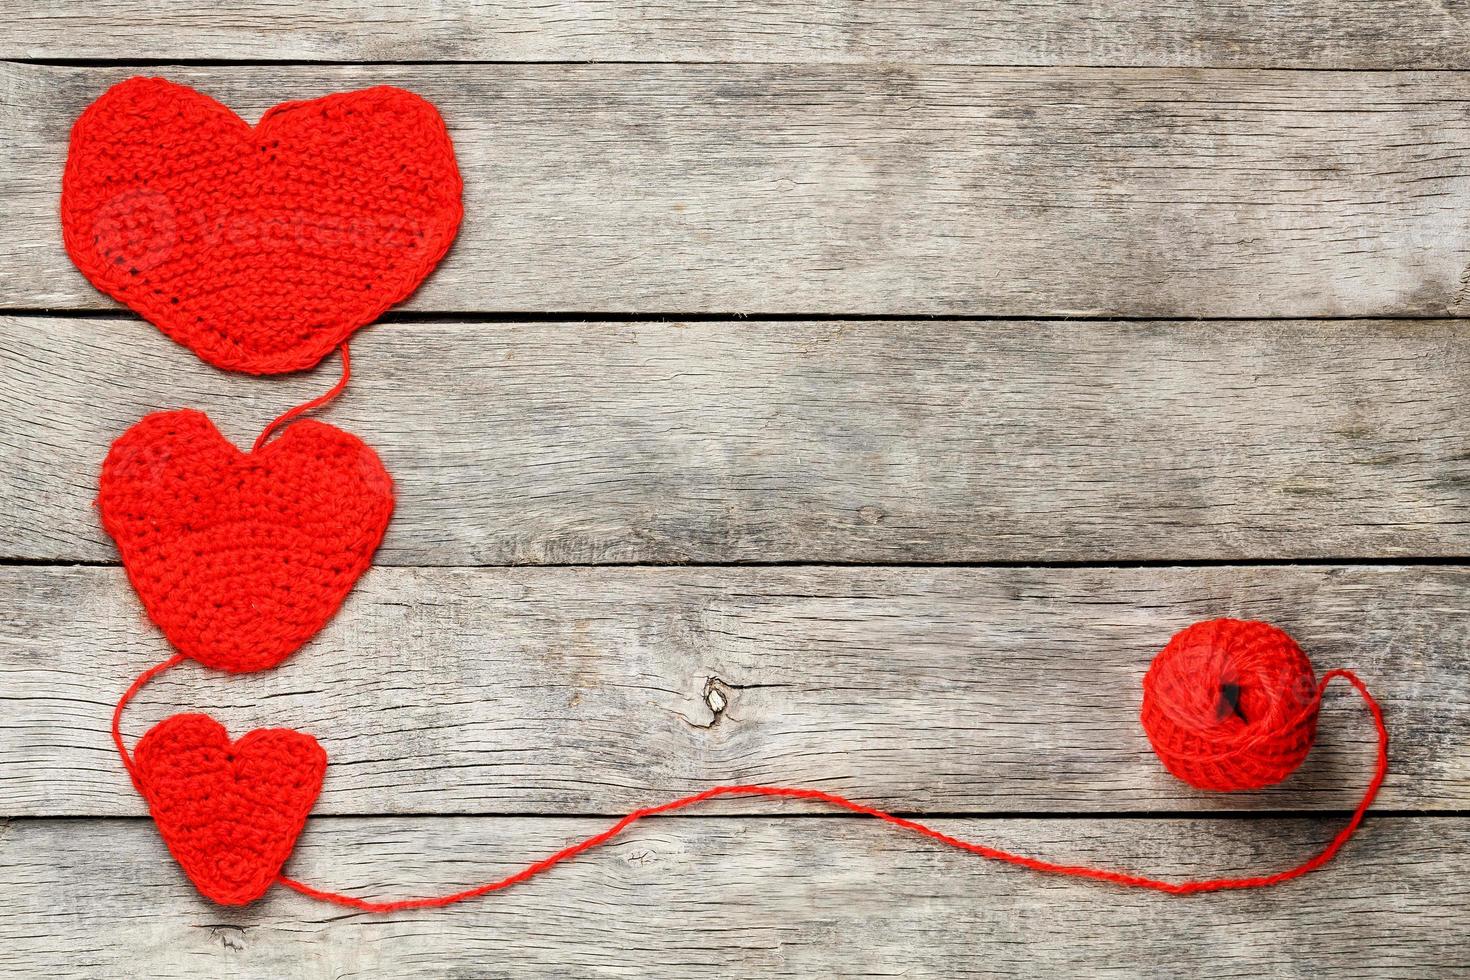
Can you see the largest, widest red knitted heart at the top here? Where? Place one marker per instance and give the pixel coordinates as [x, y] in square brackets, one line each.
[261, 249]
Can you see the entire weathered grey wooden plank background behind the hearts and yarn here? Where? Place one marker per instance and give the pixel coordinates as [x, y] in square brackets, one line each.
[827, 393]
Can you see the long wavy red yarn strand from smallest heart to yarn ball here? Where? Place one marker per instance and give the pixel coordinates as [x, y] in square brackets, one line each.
[1081, 872]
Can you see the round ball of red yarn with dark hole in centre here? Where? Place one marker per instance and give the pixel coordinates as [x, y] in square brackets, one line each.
[1231, 705]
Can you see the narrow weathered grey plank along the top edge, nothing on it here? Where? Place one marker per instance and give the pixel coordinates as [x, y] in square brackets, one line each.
[1194, 33]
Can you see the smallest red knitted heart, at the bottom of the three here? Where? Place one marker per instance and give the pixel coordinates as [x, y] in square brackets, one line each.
[230, 813]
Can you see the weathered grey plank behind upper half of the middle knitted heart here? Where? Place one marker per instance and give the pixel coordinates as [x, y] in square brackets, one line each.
[855, 442]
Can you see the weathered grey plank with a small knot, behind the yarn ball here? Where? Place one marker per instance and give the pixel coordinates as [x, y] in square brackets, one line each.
[603, 690]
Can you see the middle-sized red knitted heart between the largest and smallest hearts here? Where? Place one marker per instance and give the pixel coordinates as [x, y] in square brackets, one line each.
[242, 558]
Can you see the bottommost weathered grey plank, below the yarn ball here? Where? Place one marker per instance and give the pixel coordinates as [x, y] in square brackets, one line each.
[749, 898]
